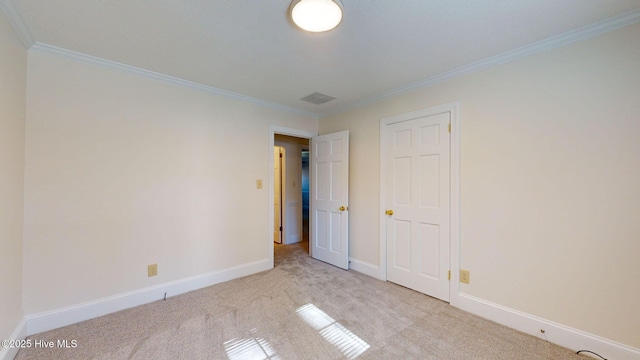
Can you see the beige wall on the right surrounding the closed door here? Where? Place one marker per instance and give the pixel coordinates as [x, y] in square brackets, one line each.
[550, 167]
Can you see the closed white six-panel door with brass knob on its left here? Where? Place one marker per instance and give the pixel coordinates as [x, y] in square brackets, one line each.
[416, 165]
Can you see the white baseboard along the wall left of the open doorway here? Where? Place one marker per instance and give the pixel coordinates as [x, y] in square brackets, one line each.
[37, 323]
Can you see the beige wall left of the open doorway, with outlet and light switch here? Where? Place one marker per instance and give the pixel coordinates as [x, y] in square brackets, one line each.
[123, 171]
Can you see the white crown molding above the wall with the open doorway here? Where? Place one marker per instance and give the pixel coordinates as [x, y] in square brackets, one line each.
[89, 59]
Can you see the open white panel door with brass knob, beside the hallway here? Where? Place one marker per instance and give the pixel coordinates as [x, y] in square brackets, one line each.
[329, 196]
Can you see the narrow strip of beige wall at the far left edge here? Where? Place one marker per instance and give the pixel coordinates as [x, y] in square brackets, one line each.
[13, 81]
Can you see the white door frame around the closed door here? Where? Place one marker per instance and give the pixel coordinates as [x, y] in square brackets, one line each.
[454, 188]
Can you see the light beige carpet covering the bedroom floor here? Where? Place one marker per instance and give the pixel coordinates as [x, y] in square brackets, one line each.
[302, 309]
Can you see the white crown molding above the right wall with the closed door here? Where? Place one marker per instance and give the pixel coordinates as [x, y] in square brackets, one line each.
[586, 32]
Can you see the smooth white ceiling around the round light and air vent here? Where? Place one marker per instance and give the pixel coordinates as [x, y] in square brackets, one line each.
[250, 48]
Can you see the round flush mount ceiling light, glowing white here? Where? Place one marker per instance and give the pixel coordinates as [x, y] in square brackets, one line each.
[316, 15]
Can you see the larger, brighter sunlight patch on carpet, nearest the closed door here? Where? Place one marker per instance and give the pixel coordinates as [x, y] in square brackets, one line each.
[337, 335]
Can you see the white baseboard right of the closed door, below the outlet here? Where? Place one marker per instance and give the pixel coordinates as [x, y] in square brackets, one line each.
[553, 332]
